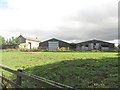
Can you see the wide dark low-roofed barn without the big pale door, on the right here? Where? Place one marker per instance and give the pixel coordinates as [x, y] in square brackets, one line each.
[95, 45]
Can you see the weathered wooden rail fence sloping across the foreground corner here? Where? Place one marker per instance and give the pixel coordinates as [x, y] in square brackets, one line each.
[39, 80]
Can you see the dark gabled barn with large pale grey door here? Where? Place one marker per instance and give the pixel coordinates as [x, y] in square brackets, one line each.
[55, 44]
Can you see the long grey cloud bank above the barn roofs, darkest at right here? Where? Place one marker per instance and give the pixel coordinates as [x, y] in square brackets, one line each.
[96, 24]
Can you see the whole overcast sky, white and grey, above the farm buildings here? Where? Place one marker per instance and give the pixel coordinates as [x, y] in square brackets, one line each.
[70, 20]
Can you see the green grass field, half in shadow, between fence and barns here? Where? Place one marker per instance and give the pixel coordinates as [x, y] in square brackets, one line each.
[77, 69]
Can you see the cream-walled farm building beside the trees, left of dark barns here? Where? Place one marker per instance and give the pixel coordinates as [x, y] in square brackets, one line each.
[28, 43]
